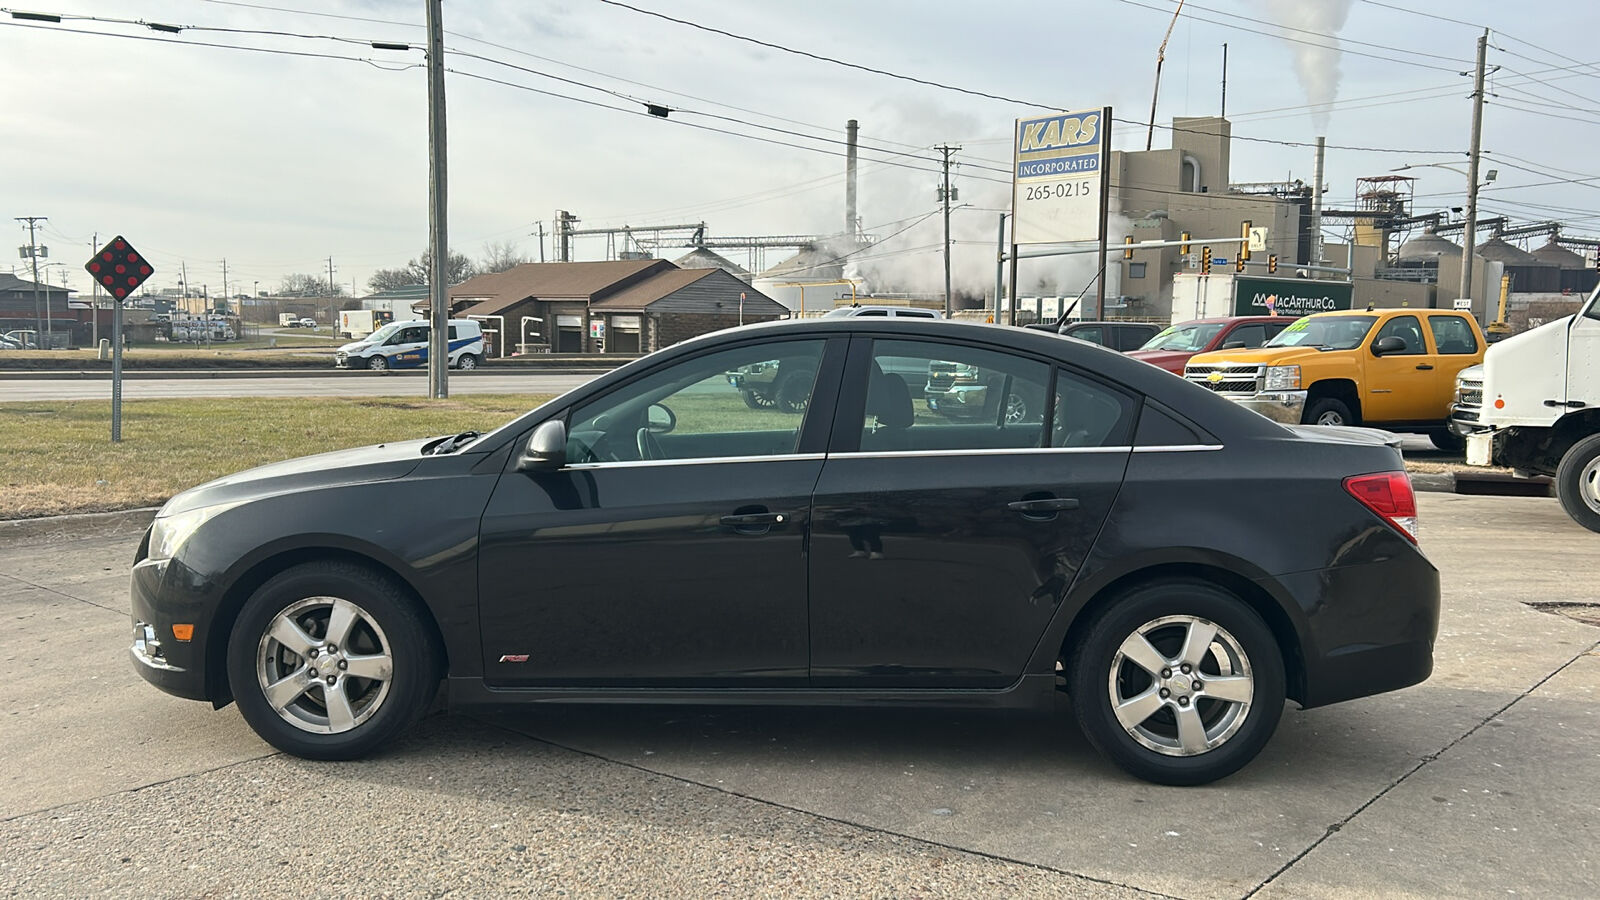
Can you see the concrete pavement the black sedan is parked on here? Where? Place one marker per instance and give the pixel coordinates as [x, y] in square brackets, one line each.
[1476, 784]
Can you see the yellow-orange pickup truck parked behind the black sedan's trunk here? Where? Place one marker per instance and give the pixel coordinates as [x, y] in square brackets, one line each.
[1393, 369]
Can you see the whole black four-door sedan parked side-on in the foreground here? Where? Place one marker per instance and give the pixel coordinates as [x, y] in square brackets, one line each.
[1090, 524]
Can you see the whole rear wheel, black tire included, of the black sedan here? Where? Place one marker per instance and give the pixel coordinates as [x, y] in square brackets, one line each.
[1238, 731]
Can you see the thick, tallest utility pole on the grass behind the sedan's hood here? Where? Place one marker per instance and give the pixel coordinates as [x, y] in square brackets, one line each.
[439, 209]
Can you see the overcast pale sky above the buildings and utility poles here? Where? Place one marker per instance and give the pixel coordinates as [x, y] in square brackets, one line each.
[279, 163]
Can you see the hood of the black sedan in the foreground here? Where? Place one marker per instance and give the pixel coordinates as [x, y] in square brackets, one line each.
[362, 465]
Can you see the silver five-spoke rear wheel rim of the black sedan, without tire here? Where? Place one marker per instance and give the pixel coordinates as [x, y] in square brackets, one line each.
[1182, 686]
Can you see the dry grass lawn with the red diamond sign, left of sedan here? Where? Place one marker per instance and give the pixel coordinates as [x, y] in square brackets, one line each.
[57, 457]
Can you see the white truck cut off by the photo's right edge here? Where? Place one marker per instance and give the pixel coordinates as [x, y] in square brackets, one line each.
[1535, 408]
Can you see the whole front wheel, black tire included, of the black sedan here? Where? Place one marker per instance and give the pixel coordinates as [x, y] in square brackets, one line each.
[386, 625]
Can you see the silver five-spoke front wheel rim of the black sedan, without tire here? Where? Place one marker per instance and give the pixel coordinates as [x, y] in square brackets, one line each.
[324, 665]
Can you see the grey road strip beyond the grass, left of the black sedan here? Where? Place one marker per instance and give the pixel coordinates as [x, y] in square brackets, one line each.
[356, 385]
